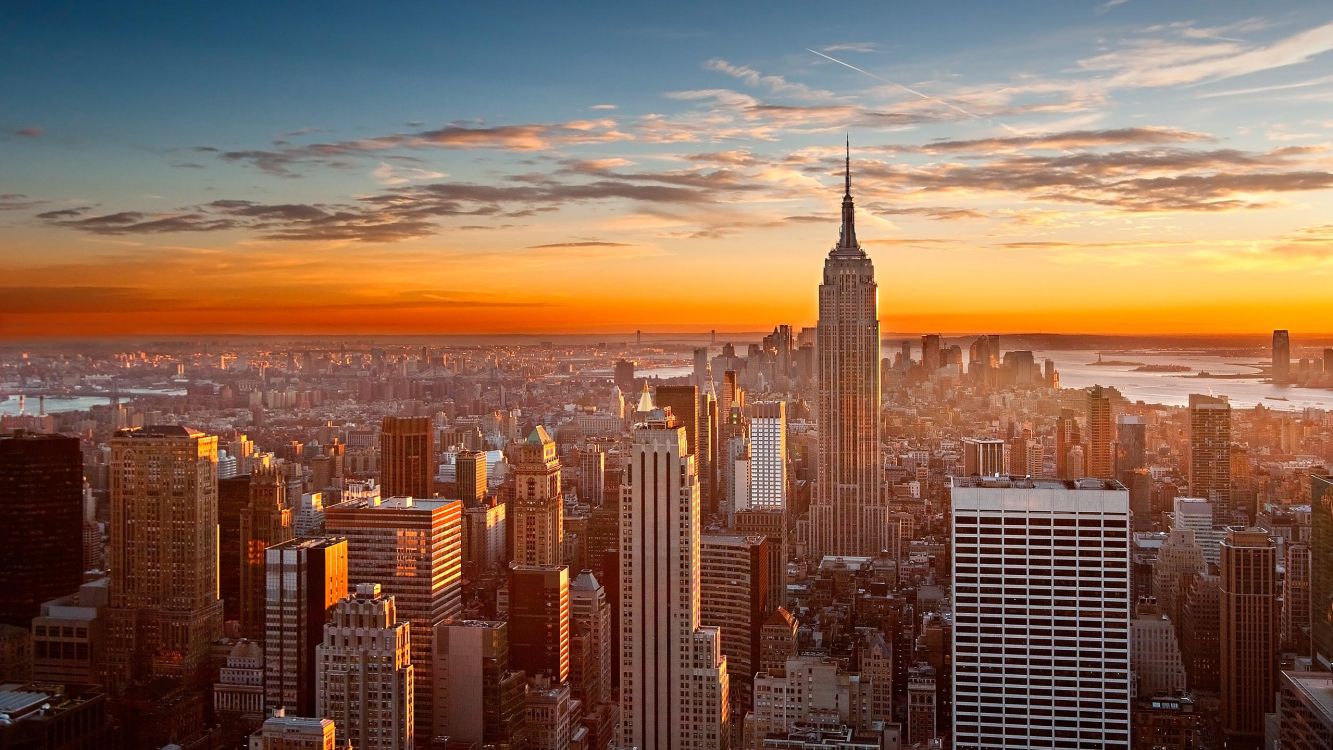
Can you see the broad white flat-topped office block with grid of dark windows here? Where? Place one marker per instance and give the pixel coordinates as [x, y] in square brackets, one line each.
[1040, 572]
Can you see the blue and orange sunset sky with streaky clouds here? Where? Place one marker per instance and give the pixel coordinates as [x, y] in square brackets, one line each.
[1111, 167]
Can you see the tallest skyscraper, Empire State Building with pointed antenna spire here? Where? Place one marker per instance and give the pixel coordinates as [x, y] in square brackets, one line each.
[848, 462]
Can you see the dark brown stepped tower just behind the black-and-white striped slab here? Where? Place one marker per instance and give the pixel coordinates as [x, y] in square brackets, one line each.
[266, 522]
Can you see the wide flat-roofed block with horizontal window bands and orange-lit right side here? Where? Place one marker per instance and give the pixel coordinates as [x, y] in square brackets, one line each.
[414, 550]
